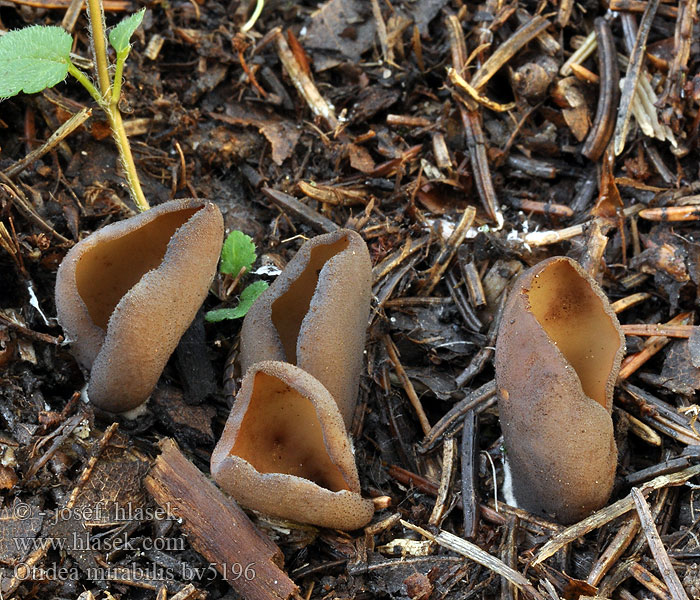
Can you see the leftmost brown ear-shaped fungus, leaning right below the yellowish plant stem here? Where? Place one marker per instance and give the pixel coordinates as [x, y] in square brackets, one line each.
[127, 293]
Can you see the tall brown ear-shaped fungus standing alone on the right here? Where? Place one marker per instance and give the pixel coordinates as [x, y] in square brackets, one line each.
[558, 354]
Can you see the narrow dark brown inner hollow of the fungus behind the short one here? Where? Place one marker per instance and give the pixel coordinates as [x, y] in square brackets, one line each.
[289, 310]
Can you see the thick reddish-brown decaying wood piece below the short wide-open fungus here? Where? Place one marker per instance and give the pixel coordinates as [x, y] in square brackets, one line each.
[217, 528]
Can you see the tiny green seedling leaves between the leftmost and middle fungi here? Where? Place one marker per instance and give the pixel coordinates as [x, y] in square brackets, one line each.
[237, 257]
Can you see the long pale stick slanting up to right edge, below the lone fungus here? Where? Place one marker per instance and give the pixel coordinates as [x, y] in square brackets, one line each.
[607, 514]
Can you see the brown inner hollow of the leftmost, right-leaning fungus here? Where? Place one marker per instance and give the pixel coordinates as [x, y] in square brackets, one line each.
[109, 270]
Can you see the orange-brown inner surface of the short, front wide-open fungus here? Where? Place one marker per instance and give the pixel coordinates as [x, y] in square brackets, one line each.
[281, 433]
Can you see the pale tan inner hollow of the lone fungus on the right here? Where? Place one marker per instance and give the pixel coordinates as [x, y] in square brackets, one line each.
[574, 318]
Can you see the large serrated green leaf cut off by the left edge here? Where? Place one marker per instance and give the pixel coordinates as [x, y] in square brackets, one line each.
[32, 59]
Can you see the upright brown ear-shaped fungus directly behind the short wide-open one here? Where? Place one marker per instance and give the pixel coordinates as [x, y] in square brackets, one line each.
[314, 315]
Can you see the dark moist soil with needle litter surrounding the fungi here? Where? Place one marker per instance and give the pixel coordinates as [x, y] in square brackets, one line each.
[407, 155]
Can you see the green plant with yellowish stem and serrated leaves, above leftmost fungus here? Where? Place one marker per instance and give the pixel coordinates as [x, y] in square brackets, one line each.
[38, 57]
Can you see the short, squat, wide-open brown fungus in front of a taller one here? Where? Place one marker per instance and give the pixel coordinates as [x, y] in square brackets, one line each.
[285, 452]
